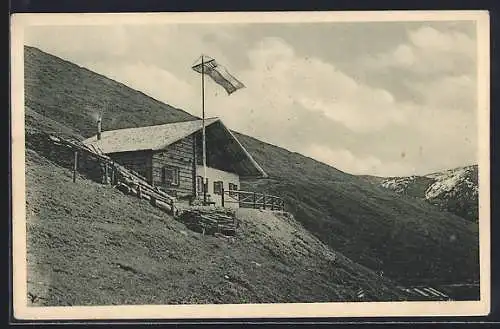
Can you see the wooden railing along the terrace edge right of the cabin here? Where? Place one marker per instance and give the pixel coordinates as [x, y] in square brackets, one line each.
[255, 200]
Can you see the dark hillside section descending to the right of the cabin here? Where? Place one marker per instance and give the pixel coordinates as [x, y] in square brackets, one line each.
[408, 239]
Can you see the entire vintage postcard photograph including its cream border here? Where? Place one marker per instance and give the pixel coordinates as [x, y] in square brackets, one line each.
[218, 165]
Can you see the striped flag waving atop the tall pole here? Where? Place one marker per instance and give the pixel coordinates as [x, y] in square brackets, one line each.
[218, 73]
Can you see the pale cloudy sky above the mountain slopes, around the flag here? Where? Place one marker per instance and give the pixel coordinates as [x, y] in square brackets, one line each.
[375, 98]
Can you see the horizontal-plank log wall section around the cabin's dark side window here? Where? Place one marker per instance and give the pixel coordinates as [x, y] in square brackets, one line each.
[180, 155]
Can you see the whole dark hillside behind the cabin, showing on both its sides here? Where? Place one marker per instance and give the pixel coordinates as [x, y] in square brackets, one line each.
[407, 239]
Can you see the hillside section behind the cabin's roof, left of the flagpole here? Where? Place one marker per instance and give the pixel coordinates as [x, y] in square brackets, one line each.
[71, 94]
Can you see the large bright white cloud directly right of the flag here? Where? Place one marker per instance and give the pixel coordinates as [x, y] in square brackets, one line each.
[279, 80]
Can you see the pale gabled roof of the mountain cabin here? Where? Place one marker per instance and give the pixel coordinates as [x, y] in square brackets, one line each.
[159, 137]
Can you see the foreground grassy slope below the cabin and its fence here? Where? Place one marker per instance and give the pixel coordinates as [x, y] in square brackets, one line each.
[91, 244]
